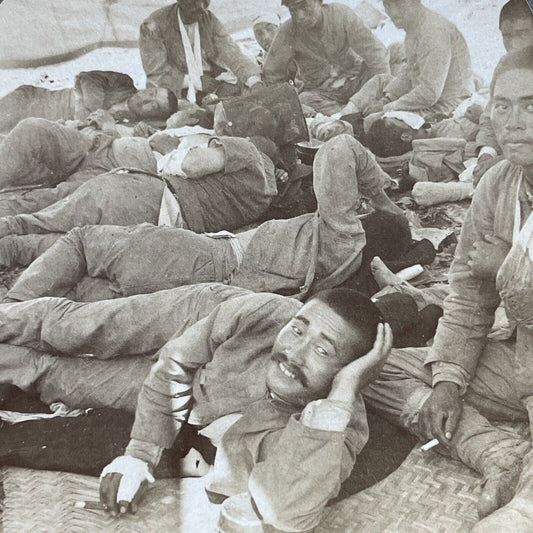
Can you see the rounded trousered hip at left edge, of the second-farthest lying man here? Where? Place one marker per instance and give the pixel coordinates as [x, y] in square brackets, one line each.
[38, 151]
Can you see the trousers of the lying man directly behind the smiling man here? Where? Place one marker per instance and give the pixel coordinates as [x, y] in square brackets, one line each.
[130, 260]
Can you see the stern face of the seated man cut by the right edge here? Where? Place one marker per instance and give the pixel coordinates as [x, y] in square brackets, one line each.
[512, 116]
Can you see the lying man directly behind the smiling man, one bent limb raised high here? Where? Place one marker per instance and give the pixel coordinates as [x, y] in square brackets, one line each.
[290, 256]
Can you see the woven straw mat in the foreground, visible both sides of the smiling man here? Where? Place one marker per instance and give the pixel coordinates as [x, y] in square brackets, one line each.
[427, 494]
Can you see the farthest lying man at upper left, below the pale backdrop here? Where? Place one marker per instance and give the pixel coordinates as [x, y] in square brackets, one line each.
[112, 91]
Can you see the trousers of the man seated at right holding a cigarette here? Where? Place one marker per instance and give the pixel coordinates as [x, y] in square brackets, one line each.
[405, 384]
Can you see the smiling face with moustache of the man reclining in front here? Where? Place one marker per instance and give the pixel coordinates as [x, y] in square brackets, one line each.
[308, 352]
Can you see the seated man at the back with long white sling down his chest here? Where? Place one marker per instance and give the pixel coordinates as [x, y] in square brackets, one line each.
[184, 48]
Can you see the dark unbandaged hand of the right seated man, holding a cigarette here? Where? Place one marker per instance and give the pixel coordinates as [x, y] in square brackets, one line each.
[441, 412]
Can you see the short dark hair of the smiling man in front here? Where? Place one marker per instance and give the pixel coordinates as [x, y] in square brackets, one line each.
[356, 309]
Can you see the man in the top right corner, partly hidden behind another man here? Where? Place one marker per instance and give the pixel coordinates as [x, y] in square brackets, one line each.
[516, 26]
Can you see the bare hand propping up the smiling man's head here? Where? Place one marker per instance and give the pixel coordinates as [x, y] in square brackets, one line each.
[352, 378]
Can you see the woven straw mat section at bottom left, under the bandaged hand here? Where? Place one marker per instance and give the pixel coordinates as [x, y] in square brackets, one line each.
[43, 502]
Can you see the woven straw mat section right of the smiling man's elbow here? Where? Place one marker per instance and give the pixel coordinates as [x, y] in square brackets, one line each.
[427, 494]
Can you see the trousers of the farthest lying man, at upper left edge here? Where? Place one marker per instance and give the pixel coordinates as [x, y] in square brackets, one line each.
[28, 101]
